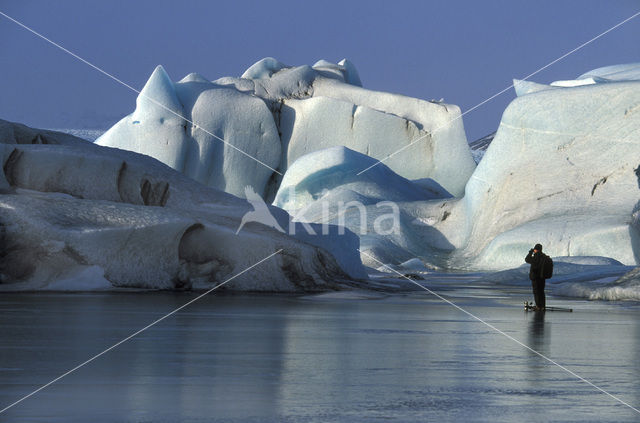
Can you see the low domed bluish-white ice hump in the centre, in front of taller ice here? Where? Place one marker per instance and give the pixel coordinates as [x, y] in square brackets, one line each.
[379, 205]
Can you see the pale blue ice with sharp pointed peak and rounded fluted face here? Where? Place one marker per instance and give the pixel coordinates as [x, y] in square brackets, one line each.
[195, 148]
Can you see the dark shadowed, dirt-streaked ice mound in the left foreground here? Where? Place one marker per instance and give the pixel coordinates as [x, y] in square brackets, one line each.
[71, 205]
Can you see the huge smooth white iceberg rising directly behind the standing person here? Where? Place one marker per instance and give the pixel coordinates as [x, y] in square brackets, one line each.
[562, 171]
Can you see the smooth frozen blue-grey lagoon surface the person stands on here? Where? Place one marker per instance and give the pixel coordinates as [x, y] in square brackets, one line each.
[406, 357]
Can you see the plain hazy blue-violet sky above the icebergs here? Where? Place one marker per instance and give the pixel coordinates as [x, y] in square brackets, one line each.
[462, 51]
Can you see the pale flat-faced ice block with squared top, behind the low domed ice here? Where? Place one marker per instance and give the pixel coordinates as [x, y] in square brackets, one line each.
[442, 152]
